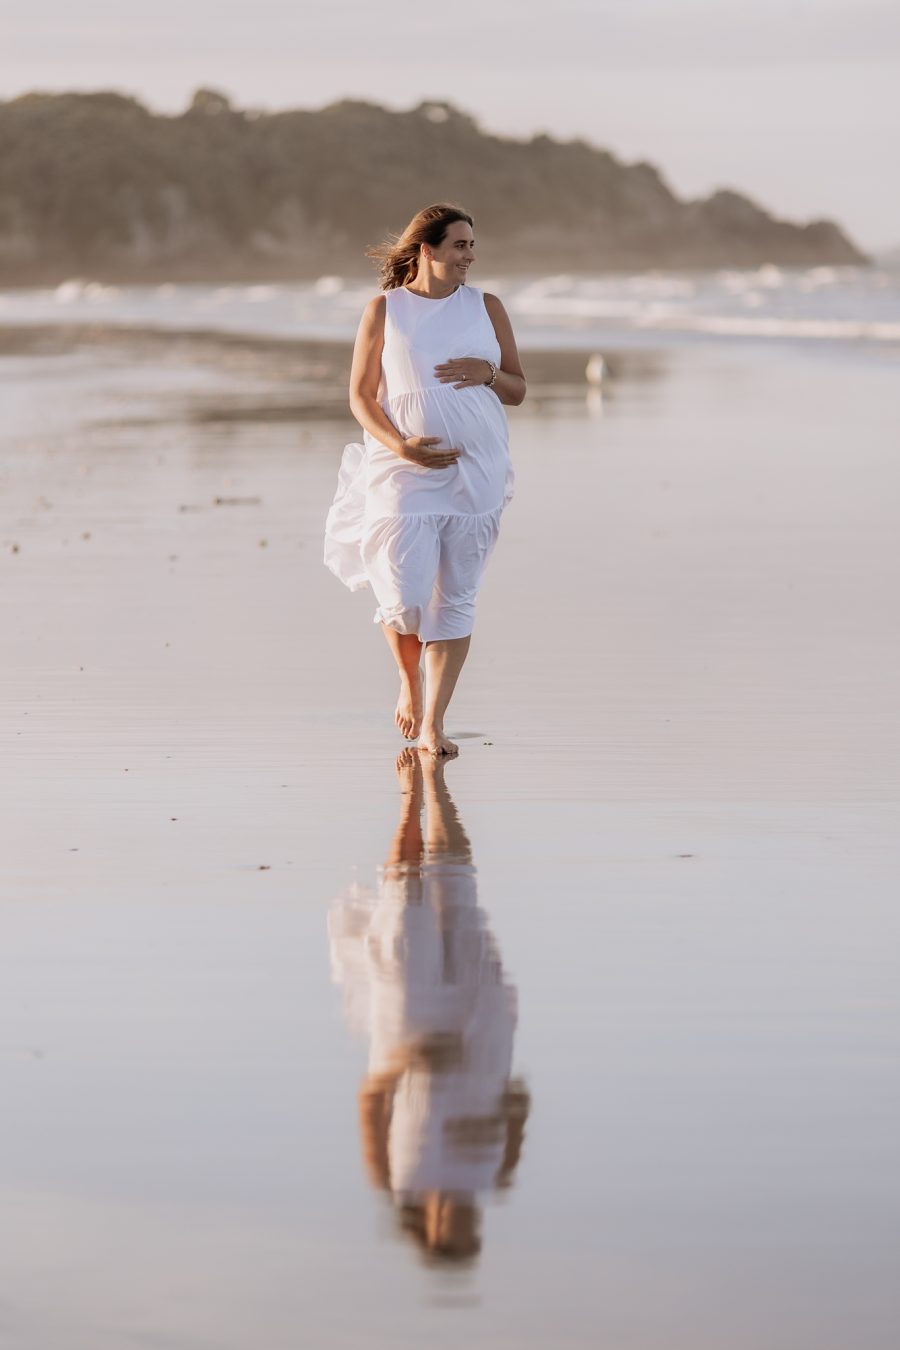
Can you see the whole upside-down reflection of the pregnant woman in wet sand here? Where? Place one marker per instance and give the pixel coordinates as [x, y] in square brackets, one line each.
[441, 1117]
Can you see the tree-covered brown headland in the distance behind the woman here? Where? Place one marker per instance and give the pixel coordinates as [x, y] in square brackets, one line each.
[98, 186]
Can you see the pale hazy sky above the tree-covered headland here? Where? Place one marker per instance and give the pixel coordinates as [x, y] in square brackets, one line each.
[794, 102]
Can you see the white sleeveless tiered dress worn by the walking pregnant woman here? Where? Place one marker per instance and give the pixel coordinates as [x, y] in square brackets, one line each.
[422, 537]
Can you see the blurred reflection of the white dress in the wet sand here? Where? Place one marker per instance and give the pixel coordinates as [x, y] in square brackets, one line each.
[418, 961]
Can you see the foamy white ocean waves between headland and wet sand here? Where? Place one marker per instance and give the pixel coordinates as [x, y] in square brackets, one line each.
[814, 304]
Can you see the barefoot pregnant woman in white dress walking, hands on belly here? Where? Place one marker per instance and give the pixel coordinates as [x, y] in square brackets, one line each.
[419, 506]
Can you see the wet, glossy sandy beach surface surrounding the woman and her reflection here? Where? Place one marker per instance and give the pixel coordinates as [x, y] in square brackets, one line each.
[679, 776]
